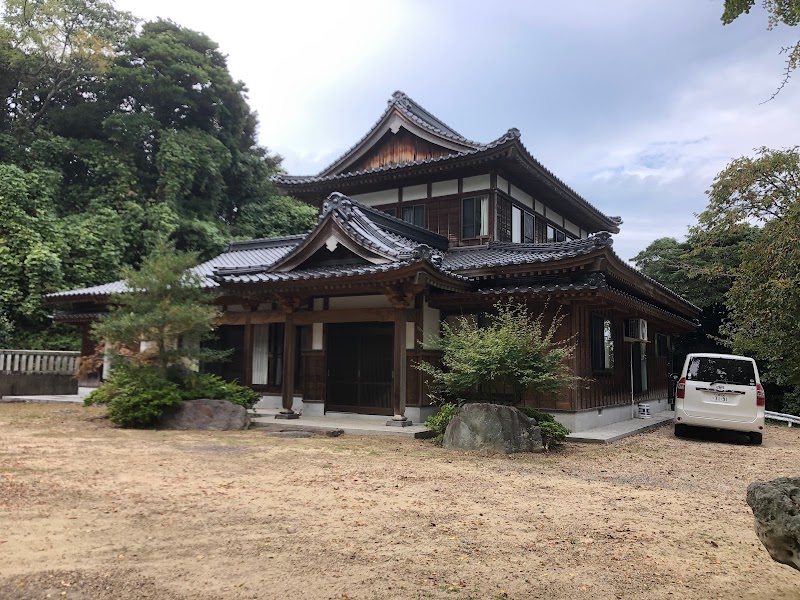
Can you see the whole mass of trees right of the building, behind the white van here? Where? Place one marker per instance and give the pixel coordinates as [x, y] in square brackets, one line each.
[742, 260]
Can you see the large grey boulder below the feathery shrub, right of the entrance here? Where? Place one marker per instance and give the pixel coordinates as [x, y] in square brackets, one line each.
[493, 428]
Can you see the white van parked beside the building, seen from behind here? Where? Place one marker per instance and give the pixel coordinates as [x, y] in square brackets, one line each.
[720, 391]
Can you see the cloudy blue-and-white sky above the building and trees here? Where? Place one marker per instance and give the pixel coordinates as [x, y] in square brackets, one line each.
[635, 104]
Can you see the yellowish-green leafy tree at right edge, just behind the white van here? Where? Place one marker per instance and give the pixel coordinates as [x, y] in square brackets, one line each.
[764, 298]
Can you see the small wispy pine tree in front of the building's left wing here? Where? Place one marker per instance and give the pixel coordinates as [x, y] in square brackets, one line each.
[164, 308]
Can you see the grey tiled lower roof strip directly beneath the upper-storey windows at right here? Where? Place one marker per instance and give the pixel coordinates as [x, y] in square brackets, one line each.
[497, 254]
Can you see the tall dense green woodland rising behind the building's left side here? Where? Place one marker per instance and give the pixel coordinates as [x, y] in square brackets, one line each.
[113, 136]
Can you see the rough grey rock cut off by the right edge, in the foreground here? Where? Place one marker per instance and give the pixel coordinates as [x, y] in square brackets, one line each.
[776, 508]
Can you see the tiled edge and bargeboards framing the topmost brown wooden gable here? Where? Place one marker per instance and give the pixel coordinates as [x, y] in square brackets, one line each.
[403, 113]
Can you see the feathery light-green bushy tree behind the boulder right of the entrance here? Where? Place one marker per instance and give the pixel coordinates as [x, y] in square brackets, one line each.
[514, 350]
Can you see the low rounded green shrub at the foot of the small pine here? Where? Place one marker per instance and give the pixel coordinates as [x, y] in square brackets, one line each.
[137, 395]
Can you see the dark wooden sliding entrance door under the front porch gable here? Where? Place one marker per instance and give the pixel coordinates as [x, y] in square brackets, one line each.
[360, 367]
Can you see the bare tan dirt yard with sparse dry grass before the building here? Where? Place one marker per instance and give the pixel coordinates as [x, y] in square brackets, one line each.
[92, 512]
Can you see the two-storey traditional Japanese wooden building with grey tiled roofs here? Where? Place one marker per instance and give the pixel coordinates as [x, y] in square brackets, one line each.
[418, 225]
